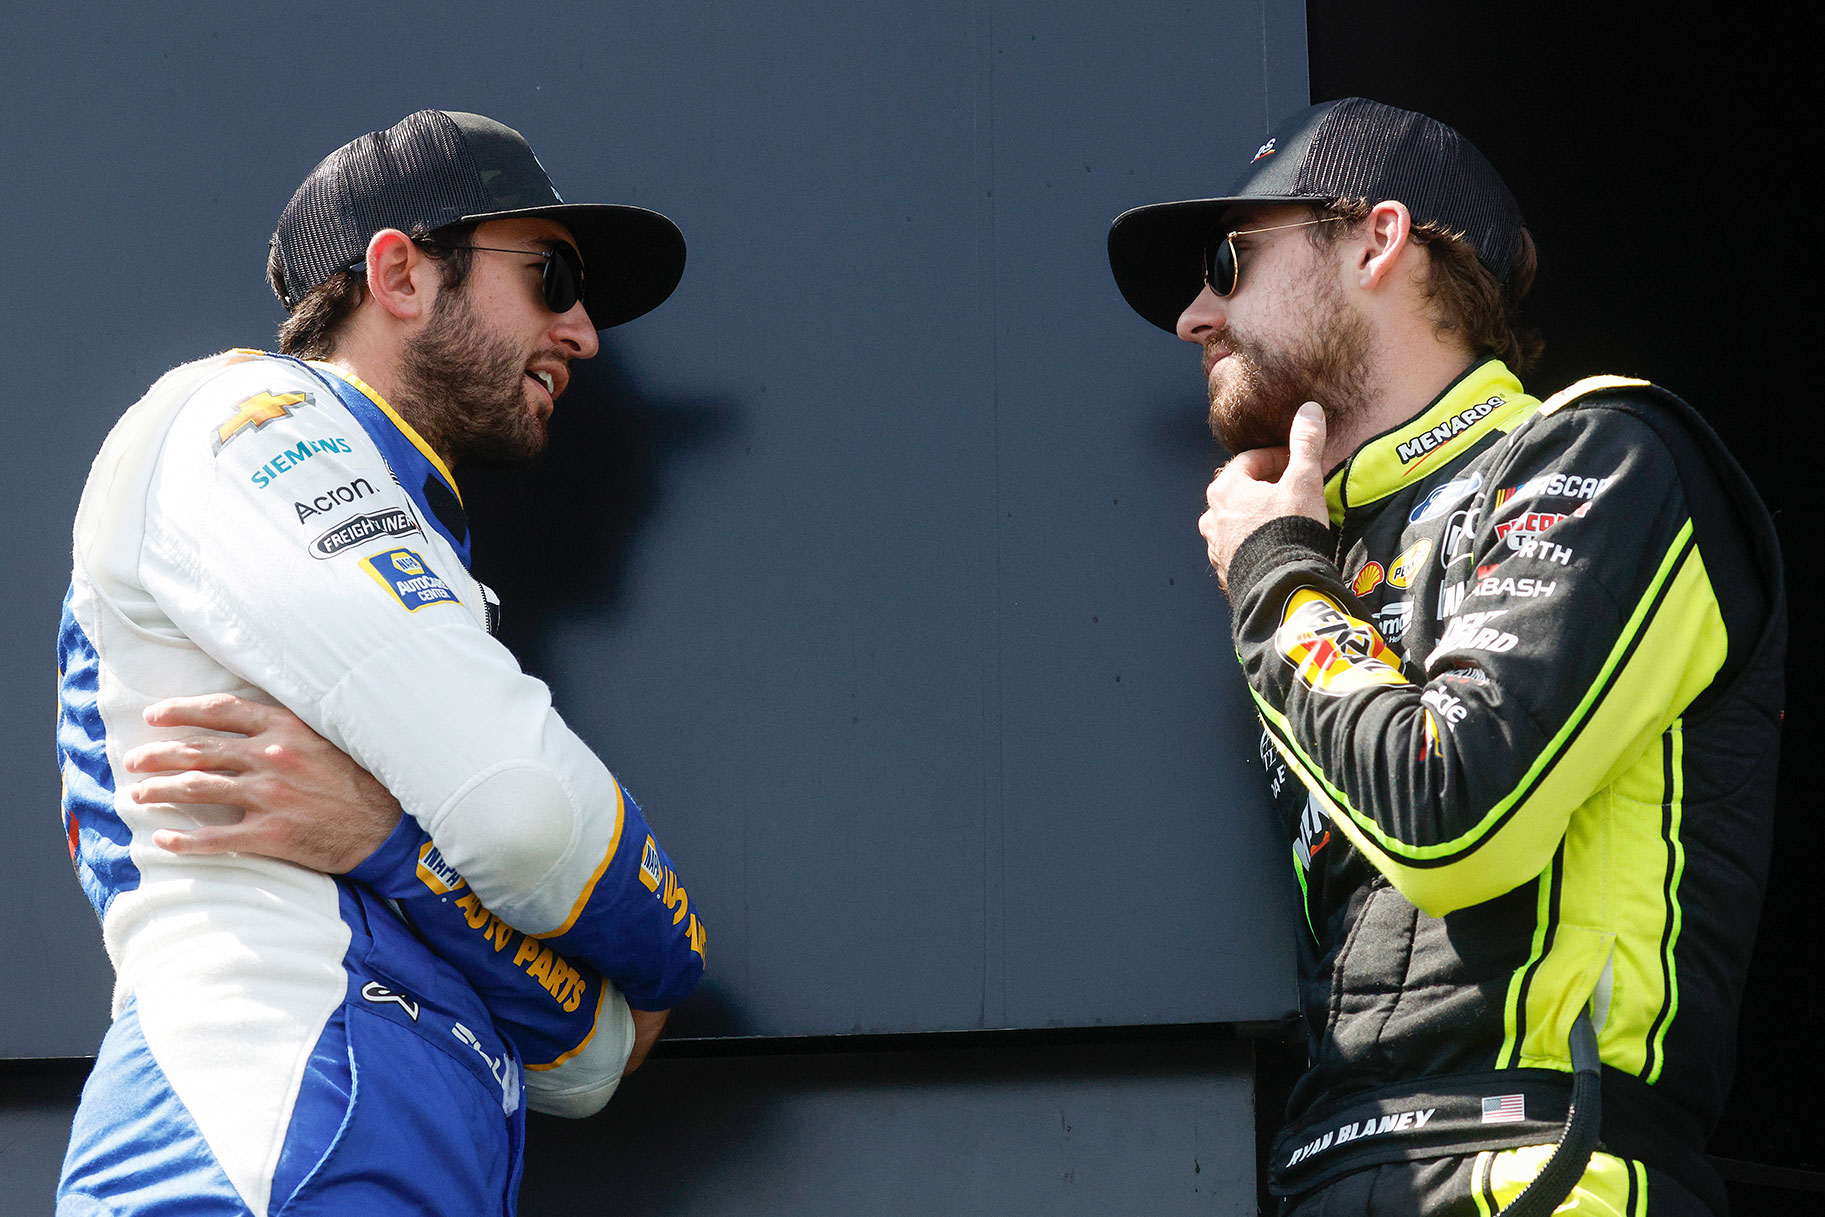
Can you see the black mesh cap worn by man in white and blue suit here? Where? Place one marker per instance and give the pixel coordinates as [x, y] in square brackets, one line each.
[437, 169]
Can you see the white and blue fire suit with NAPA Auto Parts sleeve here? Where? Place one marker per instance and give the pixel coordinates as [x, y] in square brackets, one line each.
[284, 1041]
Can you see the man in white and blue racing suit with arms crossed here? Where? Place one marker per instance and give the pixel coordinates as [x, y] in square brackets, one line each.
[320, 1026]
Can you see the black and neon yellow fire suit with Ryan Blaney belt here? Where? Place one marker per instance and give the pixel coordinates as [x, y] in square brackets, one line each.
[1521, 718]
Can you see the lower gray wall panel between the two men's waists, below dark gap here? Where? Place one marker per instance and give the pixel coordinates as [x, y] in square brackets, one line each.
[990, 1132]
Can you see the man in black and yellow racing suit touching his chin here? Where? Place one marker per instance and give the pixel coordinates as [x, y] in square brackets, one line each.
[1519, 674]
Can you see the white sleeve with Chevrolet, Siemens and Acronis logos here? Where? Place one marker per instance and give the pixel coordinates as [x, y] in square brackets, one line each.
[371, 645]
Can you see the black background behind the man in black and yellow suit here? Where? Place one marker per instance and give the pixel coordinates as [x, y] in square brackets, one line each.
[1656, 156]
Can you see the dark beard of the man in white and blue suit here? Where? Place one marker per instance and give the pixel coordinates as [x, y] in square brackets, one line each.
[464, 390]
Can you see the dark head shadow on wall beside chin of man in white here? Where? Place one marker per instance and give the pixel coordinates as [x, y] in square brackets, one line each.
[558, 537]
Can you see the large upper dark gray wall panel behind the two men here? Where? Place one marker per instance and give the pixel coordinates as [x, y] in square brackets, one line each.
[901, 625]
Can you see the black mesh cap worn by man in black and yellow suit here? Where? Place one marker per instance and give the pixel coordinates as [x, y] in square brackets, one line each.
[1350, 149]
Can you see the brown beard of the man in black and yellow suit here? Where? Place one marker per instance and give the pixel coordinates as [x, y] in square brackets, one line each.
[1253, 406]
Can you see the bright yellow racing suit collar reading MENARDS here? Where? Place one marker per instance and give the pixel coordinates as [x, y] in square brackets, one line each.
[1485, 399]
